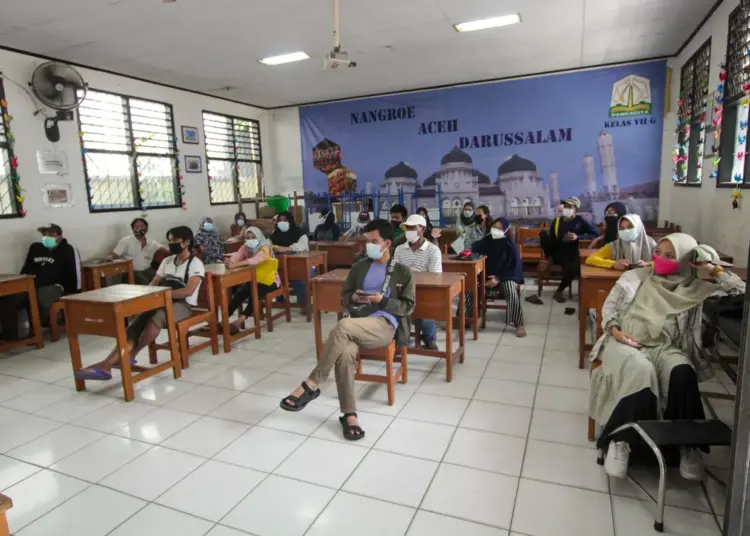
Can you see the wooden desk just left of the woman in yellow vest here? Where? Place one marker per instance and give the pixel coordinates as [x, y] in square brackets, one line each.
[223, 281]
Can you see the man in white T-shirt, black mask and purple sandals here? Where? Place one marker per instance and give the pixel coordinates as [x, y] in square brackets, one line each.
[181, 272]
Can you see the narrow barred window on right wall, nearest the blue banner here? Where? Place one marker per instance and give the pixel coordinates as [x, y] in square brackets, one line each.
[694, 78]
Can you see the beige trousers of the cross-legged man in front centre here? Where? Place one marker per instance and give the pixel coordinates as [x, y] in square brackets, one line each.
[340, 353]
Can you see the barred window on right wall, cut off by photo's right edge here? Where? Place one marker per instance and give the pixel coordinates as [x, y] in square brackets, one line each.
[733, 171]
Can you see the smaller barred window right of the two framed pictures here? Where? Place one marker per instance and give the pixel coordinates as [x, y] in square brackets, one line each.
[233, 158]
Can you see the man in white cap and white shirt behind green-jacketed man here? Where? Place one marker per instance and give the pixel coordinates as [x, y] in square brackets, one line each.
[420, 255]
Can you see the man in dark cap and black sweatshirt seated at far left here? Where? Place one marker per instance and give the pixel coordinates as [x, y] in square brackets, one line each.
[55, 266]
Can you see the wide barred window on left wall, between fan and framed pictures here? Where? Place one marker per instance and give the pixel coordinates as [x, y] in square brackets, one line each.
[129, 150]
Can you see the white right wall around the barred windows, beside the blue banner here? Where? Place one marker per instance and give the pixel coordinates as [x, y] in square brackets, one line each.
[705, 212]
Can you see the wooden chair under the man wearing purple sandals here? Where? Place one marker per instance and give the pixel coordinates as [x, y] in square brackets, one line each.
[204, 312]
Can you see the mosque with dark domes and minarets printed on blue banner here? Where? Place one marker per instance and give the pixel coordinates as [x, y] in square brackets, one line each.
[518, 192]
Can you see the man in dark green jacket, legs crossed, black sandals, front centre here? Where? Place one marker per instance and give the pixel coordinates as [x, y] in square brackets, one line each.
[379, 297]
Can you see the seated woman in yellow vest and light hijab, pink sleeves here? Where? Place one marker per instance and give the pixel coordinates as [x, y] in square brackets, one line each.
[255, 250]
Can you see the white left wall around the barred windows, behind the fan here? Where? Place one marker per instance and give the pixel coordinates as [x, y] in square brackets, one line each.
[95, 234]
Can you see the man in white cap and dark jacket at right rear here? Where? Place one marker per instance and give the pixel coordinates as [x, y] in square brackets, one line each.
[561, 246]
